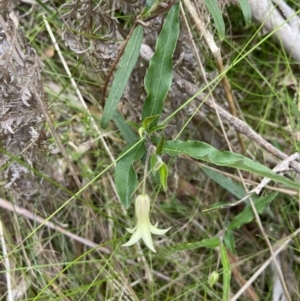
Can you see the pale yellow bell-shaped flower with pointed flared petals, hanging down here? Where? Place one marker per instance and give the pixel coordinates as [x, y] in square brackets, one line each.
[144, 228]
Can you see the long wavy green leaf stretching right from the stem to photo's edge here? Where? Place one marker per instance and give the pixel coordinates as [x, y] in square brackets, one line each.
[205, 152]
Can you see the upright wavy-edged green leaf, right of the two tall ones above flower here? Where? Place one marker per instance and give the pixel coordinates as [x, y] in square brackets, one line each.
[159, 74]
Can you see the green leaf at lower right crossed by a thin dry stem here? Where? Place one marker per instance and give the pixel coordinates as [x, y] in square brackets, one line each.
[247, 215]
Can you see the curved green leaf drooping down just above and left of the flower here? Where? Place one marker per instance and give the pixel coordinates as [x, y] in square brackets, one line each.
[125, 175]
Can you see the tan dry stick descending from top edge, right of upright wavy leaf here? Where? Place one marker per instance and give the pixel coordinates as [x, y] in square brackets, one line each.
[218, 60]
